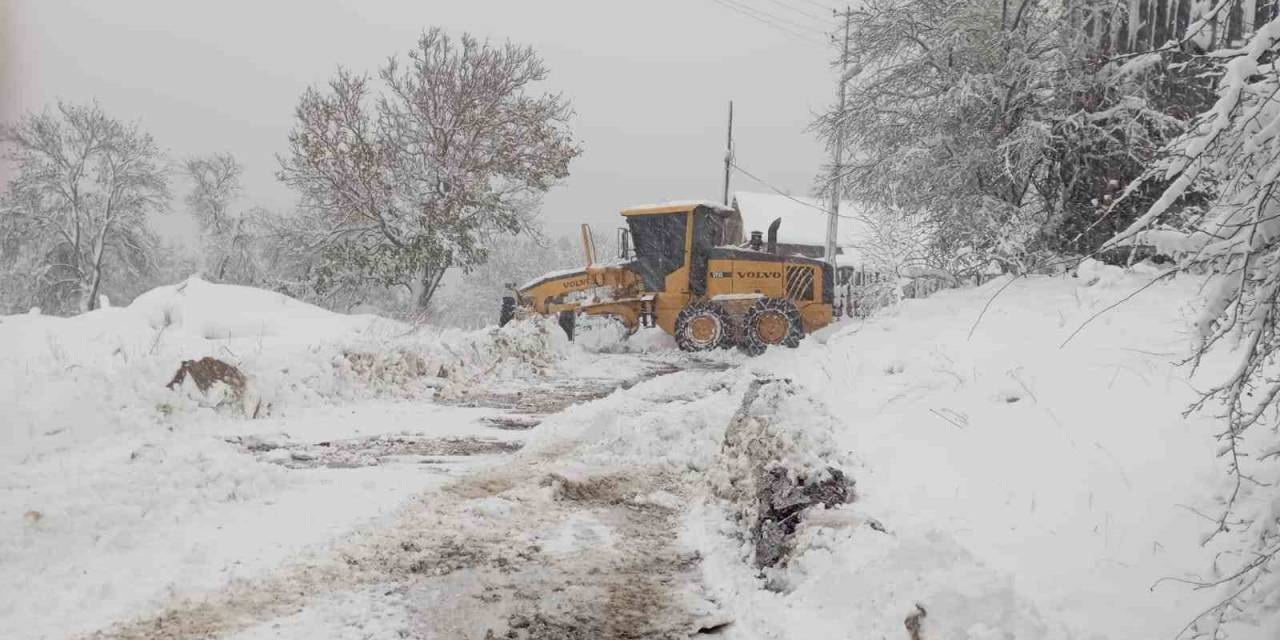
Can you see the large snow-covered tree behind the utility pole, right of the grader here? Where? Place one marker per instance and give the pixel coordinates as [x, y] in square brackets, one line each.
[1007, 125]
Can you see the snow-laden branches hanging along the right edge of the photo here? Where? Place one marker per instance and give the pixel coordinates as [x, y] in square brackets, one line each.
[1233, 153]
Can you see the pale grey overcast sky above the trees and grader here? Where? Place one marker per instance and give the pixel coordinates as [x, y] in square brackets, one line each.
[650, 80]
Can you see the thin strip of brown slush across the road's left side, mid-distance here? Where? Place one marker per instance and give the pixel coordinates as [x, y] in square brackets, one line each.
[367, 452]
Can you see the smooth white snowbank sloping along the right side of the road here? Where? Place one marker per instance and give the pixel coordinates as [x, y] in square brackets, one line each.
[1027, 487]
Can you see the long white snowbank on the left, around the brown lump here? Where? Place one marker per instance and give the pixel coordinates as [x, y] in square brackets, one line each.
[76, 380]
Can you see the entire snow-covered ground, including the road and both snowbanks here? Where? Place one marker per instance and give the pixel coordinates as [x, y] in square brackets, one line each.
[1007, 486]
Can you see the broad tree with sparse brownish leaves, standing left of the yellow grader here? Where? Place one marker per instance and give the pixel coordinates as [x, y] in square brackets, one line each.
[410, 181]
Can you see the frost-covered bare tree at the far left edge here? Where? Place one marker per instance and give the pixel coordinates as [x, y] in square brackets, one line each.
[84, 188]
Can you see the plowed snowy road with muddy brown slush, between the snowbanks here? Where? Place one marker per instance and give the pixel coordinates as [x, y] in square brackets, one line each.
[364, 541]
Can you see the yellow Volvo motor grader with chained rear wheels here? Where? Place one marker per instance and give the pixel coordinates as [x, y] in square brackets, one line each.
[693, 276]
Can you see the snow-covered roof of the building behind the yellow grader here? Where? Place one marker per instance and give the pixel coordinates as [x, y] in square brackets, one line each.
[804, 221]
